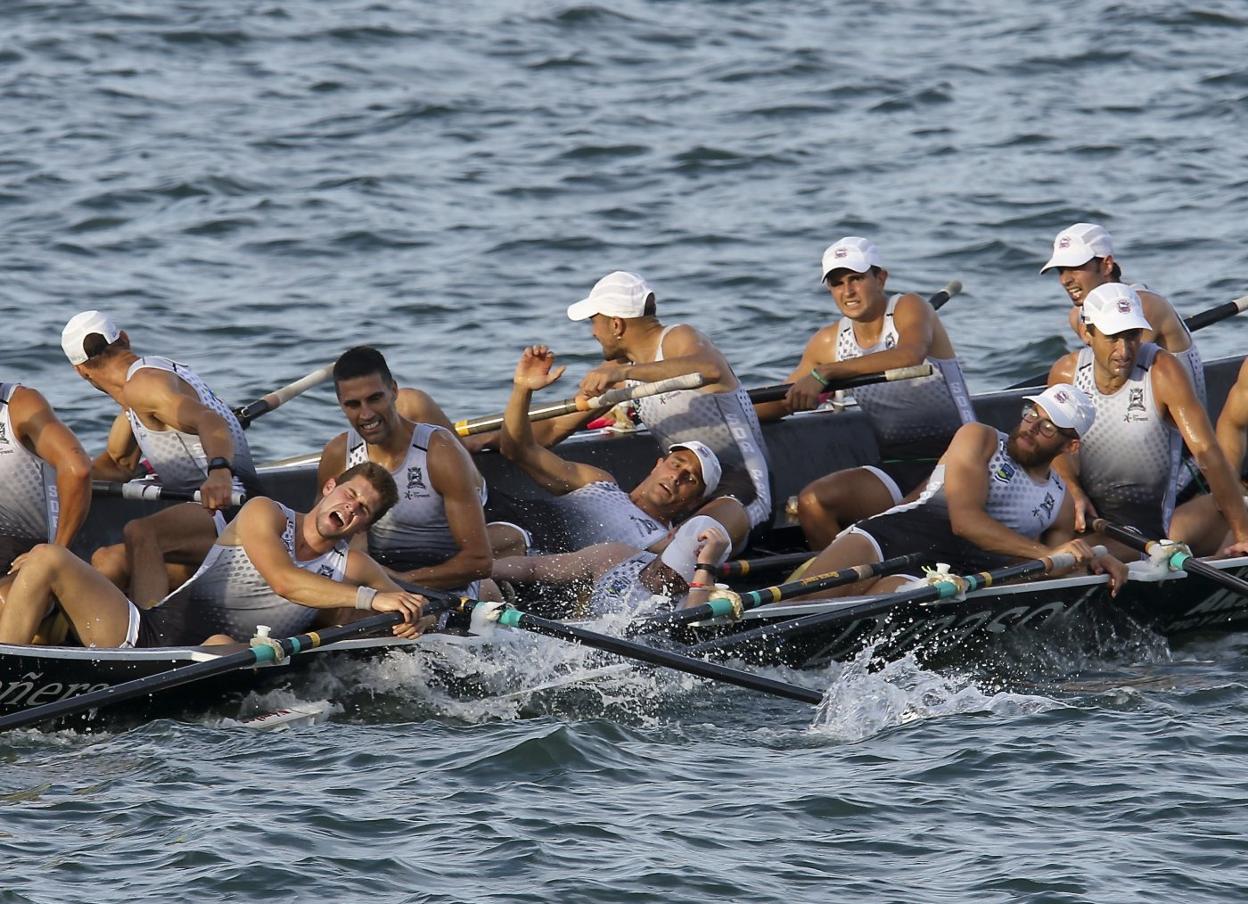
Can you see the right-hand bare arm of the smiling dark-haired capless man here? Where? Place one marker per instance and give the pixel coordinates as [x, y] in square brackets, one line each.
[455, 478]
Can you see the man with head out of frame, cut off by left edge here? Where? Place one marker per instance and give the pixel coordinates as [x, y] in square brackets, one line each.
[46, 478]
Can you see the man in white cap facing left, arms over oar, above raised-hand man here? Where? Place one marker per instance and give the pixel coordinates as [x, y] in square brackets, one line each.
[640, 349]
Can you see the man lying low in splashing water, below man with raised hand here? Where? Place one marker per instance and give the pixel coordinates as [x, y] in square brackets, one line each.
[622, 579]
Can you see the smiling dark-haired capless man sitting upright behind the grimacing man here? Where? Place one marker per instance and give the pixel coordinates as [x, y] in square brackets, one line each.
[436, 536]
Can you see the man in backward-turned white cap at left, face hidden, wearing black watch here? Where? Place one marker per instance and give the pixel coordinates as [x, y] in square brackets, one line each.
[190, 439]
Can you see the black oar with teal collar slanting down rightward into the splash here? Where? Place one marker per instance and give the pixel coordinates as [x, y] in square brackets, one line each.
[515, 619]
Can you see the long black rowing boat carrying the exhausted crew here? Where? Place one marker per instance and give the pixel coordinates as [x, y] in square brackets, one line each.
[801, 449]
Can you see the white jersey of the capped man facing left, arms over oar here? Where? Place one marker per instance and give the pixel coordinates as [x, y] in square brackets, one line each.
[726, 421]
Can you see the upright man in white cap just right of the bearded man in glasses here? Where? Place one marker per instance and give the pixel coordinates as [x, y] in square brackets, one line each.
[1128, 466]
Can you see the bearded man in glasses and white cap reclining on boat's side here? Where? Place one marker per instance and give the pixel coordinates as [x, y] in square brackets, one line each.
[993, 500]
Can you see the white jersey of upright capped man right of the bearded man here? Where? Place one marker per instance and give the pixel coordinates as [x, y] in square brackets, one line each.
[1130, 459]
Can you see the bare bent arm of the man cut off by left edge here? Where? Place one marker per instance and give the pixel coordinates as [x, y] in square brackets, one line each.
[42, 433]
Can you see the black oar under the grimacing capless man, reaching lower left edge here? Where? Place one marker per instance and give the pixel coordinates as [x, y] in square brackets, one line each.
[260, 655]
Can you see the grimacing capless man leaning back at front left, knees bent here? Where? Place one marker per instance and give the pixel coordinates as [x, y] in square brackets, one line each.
[271, 566]
